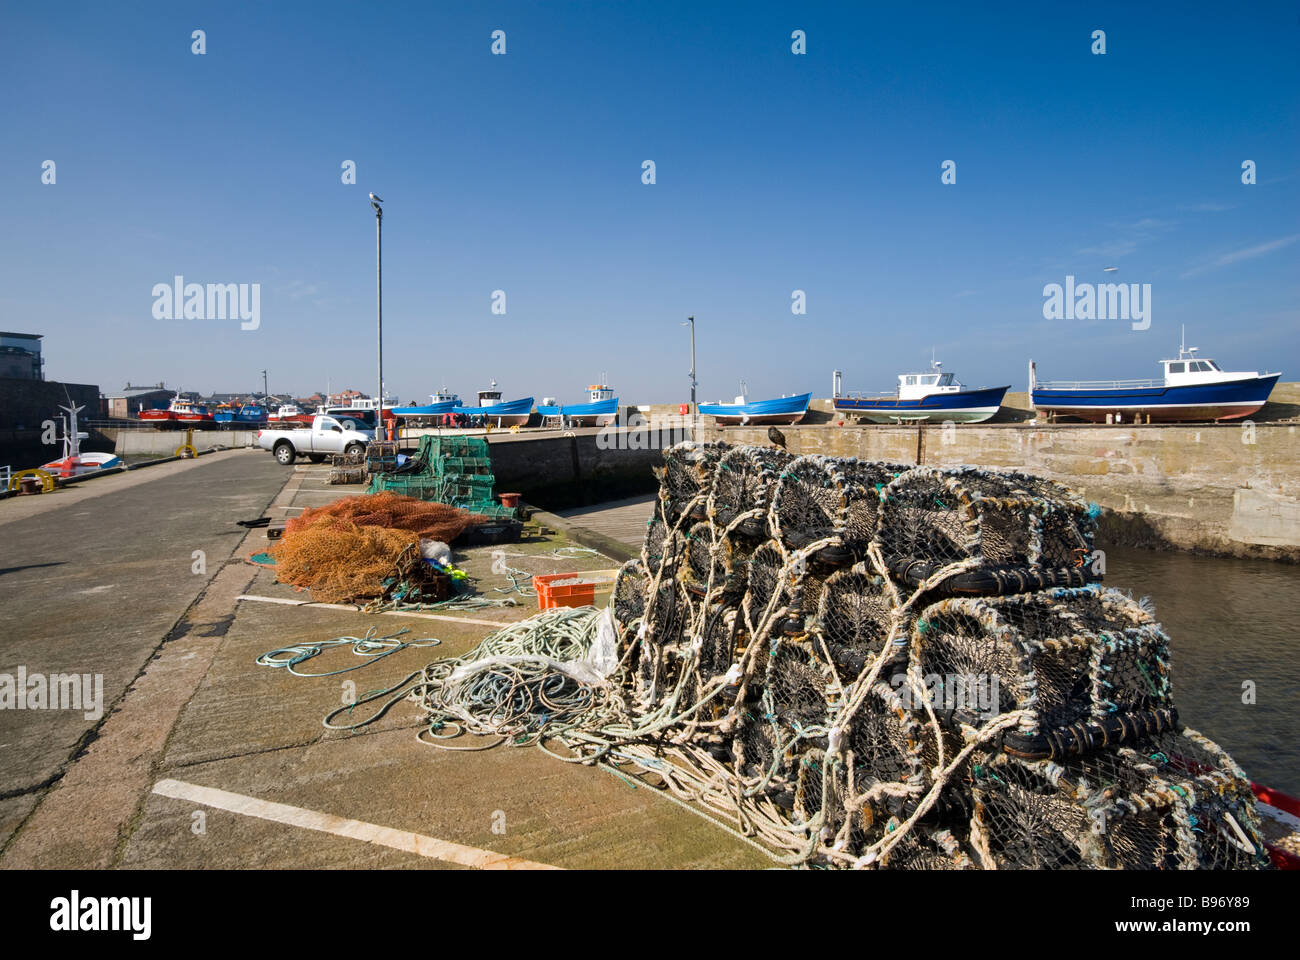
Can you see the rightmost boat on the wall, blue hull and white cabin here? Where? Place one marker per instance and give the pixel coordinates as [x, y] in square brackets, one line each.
[1191, 390]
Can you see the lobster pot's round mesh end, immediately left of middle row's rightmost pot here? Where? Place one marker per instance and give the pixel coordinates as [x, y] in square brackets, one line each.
[856, 620]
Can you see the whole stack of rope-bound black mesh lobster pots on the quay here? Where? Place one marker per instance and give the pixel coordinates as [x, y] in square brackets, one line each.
[916, 668]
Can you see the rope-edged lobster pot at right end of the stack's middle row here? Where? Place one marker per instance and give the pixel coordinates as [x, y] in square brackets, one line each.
[1089, 667]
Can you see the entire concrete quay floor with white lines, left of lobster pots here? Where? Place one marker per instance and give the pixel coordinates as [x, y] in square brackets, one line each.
[206, 760]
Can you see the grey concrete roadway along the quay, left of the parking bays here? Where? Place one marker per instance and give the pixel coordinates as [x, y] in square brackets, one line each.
[97, 577]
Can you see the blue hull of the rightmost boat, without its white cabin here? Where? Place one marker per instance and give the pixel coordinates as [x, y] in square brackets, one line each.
[1232, 400]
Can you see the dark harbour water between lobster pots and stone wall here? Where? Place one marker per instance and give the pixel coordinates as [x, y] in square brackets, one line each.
[1230, 622]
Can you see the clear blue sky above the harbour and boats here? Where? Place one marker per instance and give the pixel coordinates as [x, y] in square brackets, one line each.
[523, 174]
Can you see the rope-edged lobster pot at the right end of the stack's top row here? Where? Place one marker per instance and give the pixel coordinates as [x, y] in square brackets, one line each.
[934, 518]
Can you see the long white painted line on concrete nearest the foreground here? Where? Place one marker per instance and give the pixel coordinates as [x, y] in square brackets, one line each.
[356, 829]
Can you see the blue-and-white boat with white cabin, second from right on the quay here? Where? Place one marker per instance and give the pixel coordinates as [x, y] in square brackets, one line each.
[934, 396]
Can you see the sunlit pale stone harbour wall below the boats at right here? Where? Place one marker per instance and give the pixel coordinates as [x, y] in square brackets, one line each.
[1230, 490]
